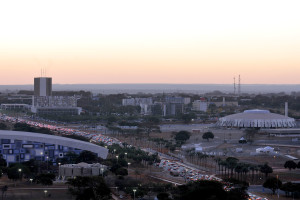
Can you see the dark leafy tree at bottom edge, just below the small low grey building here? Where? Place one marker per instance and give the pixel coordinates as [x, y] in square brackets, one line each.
[86, 188]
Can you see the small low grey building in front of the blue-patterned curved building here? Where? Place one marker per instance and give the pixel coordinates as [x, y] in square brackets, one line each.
[81, 169]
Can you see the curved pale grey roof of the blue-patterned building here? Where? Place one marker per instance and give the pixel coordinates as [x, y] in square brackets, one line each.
[57, 140]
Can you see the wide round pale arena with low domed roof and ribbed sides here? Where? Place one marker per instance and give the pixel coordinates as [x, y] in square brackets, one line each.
[257, 119]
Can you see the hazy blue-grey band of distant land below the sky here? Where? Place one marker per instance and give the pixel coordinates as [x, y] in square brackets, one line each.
[160, 88]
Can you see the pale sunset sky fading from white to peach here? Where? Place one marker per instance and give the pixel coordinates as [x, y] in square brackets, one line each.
[157, 41]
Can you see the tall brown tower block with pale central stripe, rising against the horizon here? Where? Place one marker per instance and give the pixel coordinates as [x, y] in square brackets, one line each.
[42, 86]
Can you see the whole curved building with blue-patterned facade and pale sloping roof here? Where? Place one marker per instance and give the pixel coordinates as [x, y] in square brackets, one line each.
[17, 146]
